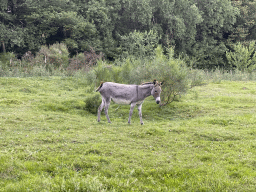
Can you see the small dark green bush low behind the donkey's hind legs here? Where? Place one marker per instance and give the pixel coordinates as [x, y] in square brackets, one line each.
[92, 103]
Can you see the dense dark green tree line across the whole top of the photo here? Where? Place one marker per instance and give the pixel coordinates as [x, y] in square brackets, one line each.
[202, 30]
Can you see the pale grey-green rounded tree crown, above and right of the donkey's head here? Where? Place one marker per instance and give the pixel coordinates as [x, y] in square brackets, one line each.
[176, 22]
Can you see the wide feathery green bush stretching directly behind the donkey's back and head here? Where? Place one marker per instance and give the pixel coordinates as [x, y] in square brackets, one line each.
[135, 71]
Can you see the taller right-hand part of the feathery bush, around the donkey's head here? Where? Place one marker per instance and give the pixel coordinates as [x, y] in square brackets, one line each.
[173, 72]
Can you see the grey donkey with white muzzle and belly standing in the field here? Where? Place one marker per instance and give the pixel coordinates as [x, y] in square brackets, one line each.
[128, 95]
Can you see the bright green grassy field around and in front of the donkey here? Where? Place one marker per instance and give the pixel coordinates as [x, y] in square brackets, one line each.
[206, 141]
